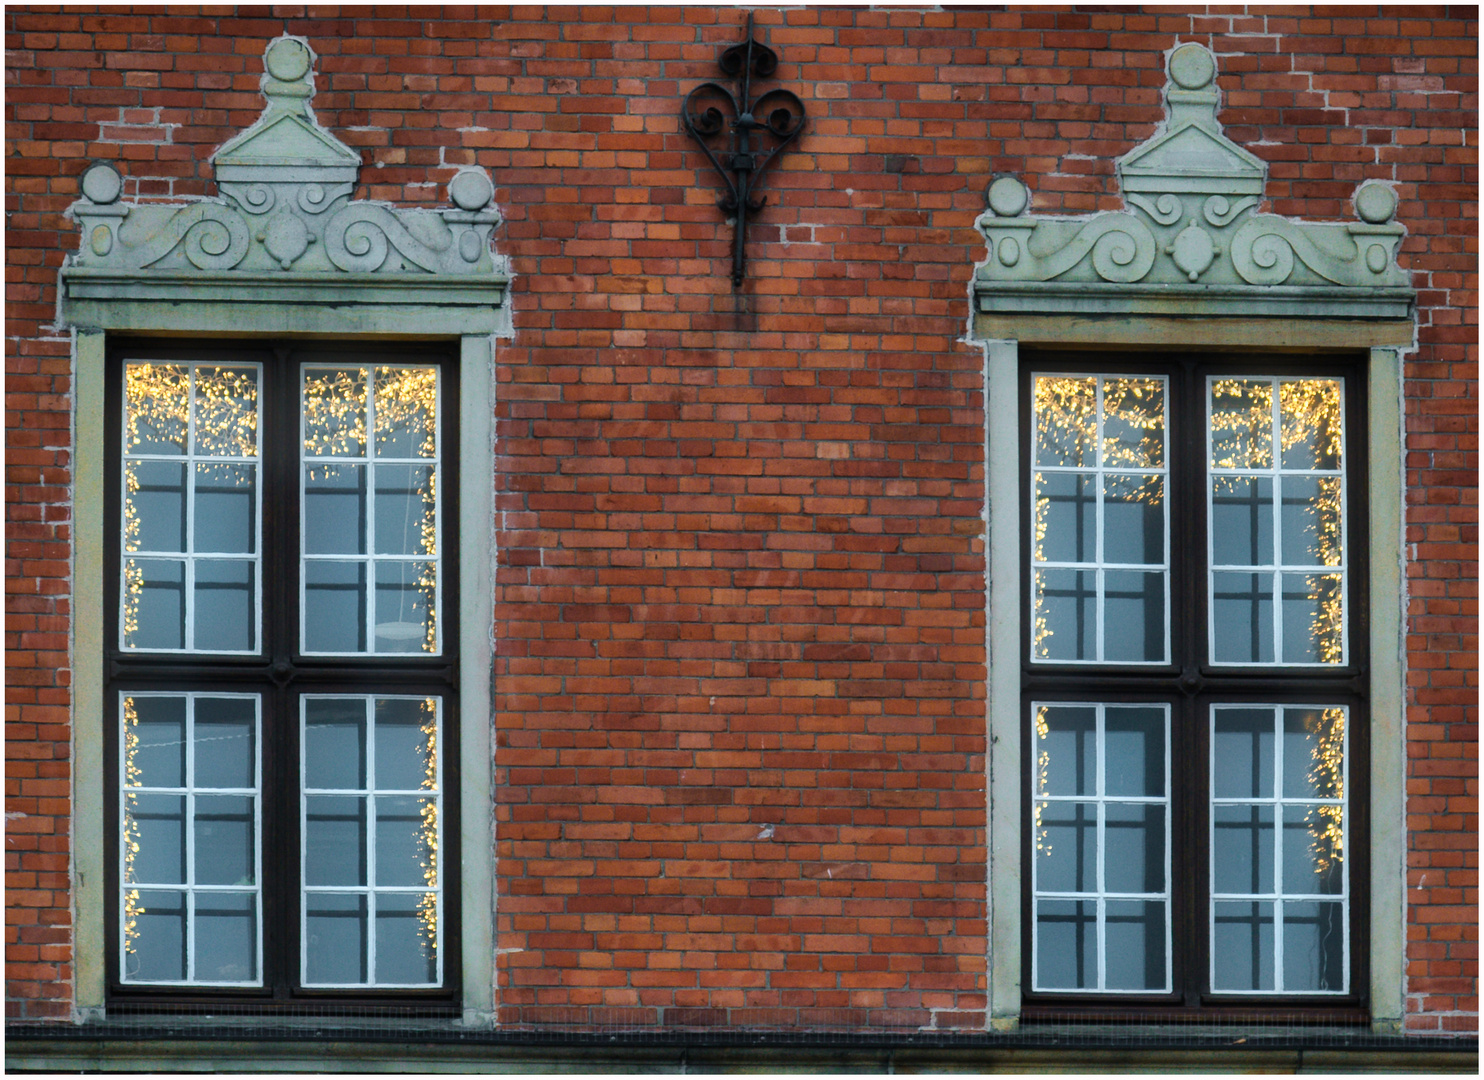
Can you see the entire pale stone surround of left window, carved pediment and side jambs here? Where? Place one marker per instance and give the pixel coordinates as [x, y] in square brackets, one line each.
[287, 254]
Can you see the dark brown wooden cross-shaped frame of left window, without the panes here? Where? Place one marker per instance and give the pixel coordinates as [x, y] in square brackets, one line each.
[283, 676]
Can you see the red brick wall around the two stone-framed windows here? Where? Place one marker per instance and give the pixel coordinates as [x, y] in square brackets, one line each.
[741, 606]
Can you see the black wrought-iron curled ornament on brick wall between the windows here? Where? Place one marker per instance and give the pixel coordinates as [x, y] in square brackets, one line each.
[777, 113]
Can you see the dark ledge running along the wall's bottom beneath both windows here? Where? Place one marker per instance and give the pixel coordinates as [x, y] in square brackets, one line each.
[330, 1044]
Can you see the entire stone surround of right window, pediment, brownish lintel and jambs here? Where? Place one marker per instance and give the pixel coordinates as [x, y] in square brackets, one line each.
[1232, 283]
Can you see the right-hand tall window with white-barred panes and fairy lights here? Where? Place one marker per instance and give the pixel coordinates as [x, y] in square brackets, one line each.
[1191, 683]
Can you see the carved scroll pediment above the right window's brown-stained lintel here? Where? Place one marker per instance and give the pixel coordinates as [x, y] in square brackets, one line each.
[1191, 232]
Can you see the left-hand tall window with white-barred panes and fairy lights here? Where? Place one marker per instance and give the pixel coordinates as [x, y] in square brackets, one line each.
[281, 671]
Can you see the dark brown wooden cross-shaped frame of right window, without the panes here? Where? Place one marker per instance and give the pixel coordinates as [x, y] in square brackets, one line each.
[1189, 685]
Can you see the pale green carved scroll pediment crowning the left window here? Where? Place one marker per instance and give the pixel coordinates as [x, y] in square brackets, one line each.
[284, 207]
